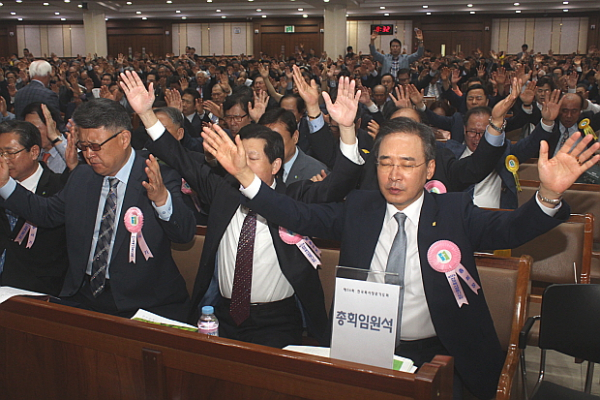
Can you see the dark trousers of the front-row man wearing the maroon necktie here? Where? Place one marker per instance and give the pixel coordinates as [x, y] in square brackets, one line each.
[275, 324]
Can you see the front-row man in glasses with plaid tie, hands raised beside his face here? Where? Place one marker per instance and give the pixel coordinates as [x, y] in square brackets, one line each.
[116, 183]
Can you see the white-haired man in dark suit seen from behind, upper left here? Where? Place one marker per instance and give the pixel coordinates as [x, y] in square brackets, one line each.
[37, 90]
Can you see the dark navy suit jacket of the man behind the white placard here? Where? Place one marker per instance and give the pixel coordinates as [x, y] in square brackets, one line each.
[468, 332]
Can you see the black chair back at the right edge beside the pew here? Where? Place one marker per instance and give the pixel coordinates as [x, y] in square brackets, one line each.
[570, 320]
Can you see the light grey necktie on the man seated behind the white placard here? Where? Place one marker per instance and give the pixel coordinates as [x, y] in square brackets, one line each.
[396, 264]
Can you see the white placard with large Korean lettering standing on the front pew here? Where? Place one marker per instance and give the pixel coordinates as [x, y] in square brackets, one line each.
[364, 322]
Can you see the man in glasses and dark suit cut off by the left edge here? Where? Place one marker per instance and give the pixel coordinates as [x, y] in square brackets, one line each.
[40, 266]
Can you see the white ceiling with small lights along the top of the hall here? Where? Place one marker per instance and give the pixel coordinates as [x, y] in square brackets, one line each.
[247, 9]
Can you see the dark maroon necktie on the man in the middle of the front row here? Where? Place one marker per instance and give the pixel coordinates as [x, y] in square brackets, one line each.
[242, 278]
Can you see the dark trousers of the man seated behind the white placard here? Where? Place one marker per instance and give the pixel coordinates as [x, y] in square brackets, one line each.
[422, 351]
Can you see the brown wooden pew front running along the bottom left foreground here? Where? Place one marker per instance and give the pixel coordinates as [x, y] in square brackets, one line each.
[50, 351]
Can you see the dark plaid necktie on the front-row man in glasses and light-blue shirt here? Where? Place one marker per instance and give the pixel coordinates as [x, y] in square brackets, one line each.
[107, 227]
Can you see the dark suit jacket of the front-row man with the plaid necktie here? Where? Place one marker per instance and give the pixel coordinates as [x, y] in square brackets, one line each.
[155, 285]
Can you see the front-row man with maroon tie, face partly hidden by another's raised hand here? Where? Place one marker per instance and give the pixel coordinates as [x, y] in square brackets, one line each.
[283, 282]
